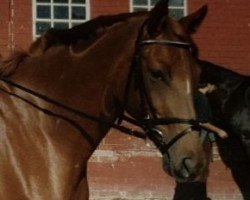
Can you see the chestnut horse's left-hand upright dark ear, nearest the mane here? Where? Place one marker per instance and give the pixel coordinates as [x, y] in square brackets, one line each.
[156, 18]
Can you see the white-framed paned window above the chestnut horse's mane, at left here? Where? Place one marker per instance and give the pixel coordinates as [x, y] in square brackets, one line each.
[58, 14]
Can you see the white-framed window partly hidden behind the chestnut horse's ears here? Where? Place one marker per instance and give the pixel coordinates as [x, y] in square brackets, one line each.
[177, 8]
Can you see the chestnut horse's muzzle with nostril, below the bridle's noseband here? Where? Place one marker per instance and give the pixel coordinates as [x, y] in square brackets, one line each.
[187, 165]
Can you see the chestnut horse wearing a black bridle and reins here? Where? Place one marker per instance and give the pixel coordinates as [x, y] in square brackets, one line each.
[59, 99]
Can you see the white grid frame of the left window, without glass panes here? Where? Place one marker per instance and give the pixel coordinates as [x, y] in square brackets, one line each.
[52, 20]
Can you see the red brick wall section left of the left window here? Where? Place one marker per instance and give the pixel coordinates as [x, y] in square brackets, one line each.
[16, 25]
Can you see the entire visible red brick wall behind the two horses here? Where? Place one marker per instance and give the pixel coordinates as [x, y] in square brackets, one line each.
[128, 168]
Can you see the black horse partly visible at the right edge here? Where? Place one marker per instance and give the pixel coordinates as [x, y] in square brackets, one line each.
[231, 109]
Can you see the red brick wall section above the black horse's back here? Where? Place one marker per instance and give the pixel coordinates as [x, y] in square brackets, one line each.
[224, 37]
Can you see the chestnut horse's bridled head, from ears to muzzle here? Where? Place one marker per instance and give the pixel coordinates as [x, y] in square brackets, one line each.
[165, 73]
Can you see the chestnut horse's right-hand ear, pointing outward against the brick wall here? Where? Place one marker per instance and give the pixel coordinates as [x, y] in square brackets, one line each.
[193, 21]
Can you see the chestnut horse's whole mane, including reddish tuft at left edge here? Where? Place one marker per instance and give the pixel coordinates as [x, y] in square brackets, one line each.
[88, 31]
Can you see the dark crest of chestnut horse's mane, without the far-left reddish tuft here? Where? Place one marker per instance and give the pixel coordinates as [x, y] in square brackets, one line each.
[88, 31]
